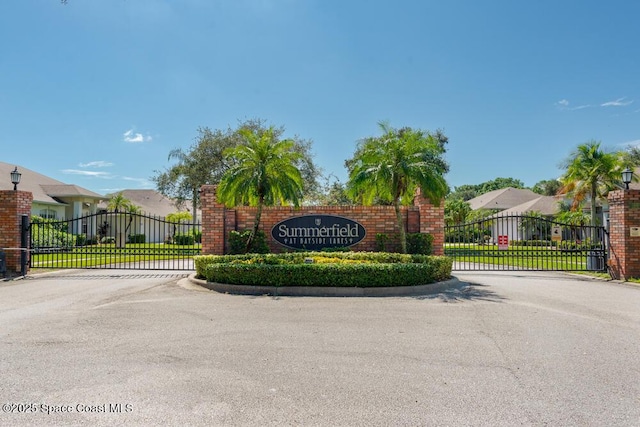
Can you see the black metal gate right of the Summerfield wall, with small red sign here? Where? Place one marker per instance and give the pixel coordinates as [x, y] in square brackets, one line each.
[526, 242]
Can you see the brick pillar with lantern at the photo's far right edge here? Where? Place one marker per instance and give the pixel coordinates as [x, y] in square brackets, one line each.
[624, 213]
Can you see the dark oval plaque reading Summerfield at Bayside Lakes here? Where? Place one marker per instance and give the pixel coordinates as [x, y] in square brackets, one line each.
[316, 232]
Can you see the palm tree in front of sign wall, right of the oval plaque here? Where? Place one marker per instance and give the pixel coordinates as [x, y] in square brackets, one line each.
[392, 166]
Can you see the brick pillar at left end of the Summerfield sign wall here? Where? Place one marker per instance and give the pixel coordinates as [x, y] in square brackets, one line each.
[213, 224]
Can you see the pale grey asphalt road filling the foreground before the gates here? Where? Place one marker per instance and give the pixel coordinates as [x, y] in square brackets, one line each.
[506, 349]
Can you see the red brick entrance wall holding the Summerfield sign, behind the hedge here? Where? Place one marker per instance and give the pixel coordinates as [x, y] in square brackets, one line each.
[218, 222]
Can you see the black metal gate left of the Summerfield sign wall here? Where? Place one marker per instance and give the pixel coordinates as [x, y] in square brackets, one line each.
[114, 240]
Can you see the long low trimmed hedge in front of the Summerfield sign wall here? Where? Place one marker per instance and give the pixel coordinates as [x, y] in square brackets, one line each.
[342, 269]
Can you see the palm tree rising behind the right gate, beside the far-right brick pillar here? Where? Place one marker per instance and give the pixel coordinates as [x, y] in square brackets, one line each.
[590, 173]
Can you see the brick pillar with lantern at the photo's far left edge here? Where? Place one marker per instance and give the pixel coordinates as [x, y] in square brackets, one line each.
[13, 204]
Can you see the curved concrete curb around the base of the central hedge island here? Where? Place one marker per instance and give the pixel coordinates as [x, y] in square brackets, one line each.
[313, 291]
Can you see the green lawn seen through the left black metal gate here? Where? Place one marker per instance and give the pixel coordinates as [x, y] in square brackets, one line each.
[97, 255]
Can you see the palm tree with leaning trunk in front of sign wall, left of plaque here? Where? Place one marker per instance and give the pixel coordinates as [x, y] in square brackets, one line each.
[263, 172]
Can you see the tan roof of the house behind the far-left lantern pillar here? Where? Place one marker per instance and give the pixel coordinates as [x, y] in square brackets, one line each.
[45, 190]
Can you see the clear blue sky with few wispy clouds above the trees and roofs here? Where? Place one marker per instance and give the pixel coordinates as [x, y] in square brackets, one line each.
[97, 92]
